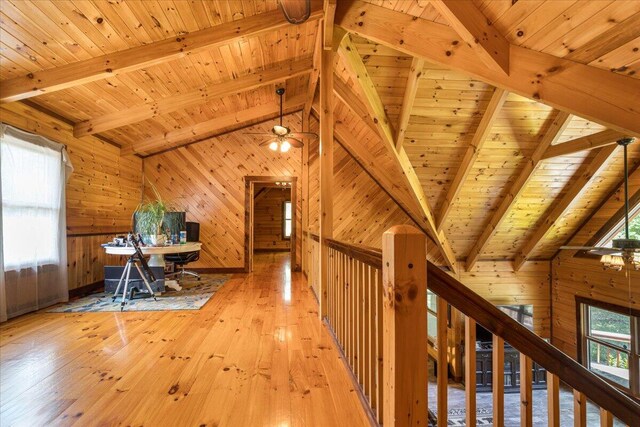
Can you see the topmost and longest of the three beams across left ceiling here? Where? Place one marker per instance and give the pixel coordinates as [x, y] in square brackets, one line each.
[101, 67]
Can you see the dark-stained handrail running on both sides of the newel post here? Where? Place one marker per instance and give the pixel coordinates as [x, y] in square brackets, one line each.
[522, 339]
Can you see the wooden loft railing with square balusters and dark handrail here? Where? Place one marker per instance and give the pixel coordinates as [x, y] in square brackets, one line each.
[356, 317]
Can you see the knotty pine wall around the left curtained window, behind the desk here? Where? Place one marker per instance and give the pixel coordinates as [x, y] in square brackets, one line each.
[102, 192]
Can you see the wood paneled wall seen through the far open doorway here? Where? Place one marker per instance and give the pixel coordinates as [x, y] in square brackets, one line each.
[268, 217]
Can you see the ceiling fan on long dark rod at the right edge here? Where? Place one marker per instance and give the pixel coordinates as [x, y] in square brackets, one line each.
[625, 250]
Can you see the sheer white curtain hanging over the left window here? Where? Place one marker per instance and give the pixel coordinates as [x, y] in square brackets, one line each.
[33, 248]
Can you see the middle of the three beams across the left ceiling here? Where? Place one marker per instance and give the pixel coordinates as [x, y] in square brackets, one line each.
[278, 73]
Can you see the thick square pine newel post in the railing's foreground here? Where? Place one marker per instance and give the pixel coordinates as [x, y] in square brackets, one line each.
[404, 317]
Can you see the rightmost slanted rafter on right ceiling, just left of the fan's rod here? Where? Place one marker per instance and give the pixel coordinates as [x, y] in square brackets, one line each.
[559, 208]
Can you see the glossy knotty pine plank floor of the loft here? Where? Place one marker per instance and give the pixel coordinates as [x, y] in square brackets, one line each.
[255, 354]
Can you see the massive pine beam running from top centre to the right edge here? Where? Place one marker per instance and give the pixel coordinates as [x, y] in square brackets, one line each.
[589, 92]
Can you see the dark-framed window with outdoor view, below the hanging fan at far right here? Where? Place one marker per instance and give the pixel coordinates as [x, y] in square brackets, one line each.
[609, 343]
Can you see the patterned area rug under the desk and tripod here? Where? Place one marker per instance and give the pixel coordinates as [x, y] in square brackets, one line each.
[193, 296]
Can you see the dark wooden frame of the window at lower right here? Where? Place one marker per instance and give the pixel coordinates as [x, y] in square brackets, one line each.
[583, 338]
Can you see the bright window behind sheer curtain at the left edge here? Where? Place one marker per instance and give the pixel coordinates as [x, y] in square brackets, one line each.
[31, 203]
